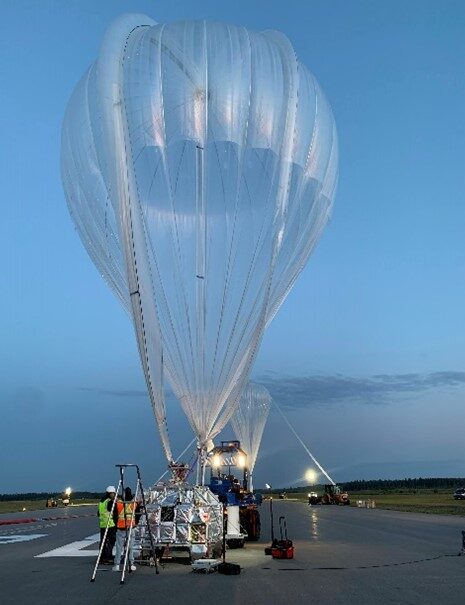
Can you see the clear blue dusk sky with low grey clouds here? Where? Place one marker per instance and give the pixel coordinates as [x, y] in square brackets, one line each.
[366, 356]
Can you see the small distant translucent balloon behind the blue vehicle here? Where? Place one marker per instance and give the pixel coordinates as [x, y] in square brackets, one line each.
[249, 419]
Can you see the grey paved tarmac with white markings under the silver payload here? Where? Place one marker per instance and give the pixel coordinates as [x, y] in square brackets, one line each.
[343, 556]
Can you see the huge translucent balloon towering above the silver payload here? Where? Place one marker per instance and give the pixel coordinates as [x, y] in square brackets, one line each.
[199, 162]
